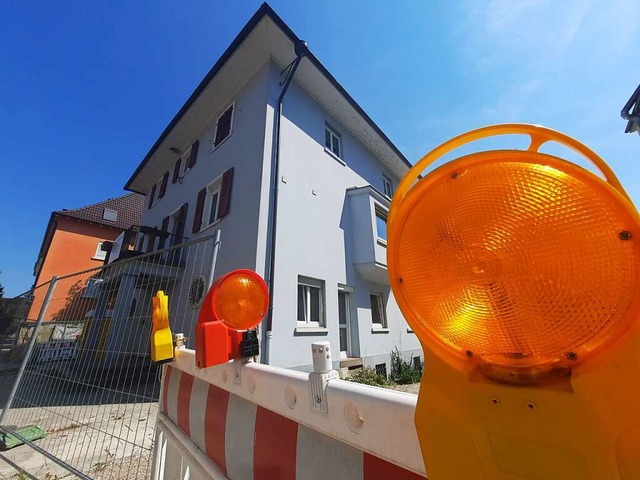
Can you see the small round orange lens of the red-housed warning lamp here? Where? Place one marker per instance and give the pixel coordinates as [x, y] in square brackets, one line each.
[240, 299]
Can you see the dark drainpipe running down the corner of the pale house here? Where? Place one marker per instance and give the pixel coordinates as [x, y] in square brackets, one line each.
[301, 50]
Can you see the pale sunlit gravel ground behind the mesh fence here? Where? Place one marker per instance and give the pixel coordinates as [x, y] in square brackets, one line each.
[89, 431]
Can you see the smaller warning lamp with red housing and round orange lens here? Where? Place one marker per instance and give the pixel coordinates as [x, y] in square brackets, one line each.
[236, 302]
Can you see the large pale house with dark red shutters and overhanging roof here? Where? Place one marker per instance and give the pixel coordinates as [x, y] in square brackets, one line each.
[212, 169]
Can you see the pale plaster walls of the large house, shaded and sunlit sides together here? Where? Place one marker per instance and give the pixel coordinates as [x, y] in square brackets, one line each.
[314, 230]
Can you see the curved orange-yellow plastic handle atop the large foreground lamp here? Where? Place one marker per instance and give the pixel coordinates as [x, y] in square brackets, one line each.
[539, 136]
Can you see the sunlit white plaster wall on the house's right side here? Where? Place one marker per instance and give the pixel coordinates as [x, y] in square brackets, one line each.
[314, 233]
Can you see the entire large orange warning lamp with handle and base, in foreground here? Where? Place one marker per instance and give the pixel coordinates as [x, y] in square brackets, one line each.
[520, 274]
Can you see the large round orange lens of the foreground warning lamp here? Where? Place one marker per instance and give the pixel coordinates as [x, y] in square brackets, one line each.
[516, 259]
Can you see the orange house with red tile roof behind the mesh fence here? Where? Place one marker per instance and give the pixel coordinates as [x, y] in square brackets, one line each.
[73, 242]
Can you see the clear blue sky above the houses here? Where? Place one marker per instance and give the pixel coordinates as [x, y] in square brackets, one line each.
[87, 87]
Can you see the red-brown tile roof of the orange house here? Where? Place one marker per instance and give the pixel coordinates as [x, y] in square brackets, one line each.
[128, 207]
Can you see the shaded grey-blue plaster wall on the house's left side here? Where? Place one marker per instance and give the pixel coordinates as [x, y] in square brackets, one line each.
[244, 151]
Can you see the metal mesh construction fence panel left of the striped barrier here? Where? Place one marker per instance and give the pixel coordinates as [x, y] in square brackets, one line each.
[88, 380]
